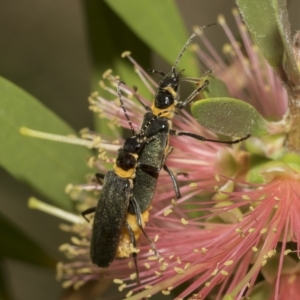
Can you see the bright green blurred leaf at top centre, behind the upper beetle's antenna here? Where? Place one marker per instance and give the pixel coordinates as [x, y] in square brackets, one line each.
[160, 25]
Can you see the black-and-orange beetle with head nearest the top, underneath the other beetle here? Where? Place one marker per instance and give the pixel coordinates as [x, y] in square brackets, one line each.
[166, 103]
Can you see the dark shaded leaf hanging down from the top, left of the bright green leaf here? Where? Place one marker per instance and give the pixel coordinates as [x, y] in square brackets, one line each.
[106, 44]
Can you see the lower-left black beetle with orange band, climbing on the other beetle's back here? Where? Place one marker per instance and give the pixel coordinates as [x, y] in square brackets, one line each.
[116, 196]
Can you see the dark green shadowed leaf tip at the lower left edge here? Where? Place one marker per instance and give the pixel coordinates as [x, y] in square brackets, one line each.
[15, 244]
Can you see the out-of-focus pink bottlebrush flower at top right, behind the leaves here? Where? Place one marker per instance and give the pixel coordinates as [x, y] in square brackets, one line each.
[248, 76]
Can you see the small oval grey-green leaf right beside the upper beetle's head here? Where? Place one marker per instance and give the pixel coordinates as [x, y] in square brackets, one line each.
[228, 116]
